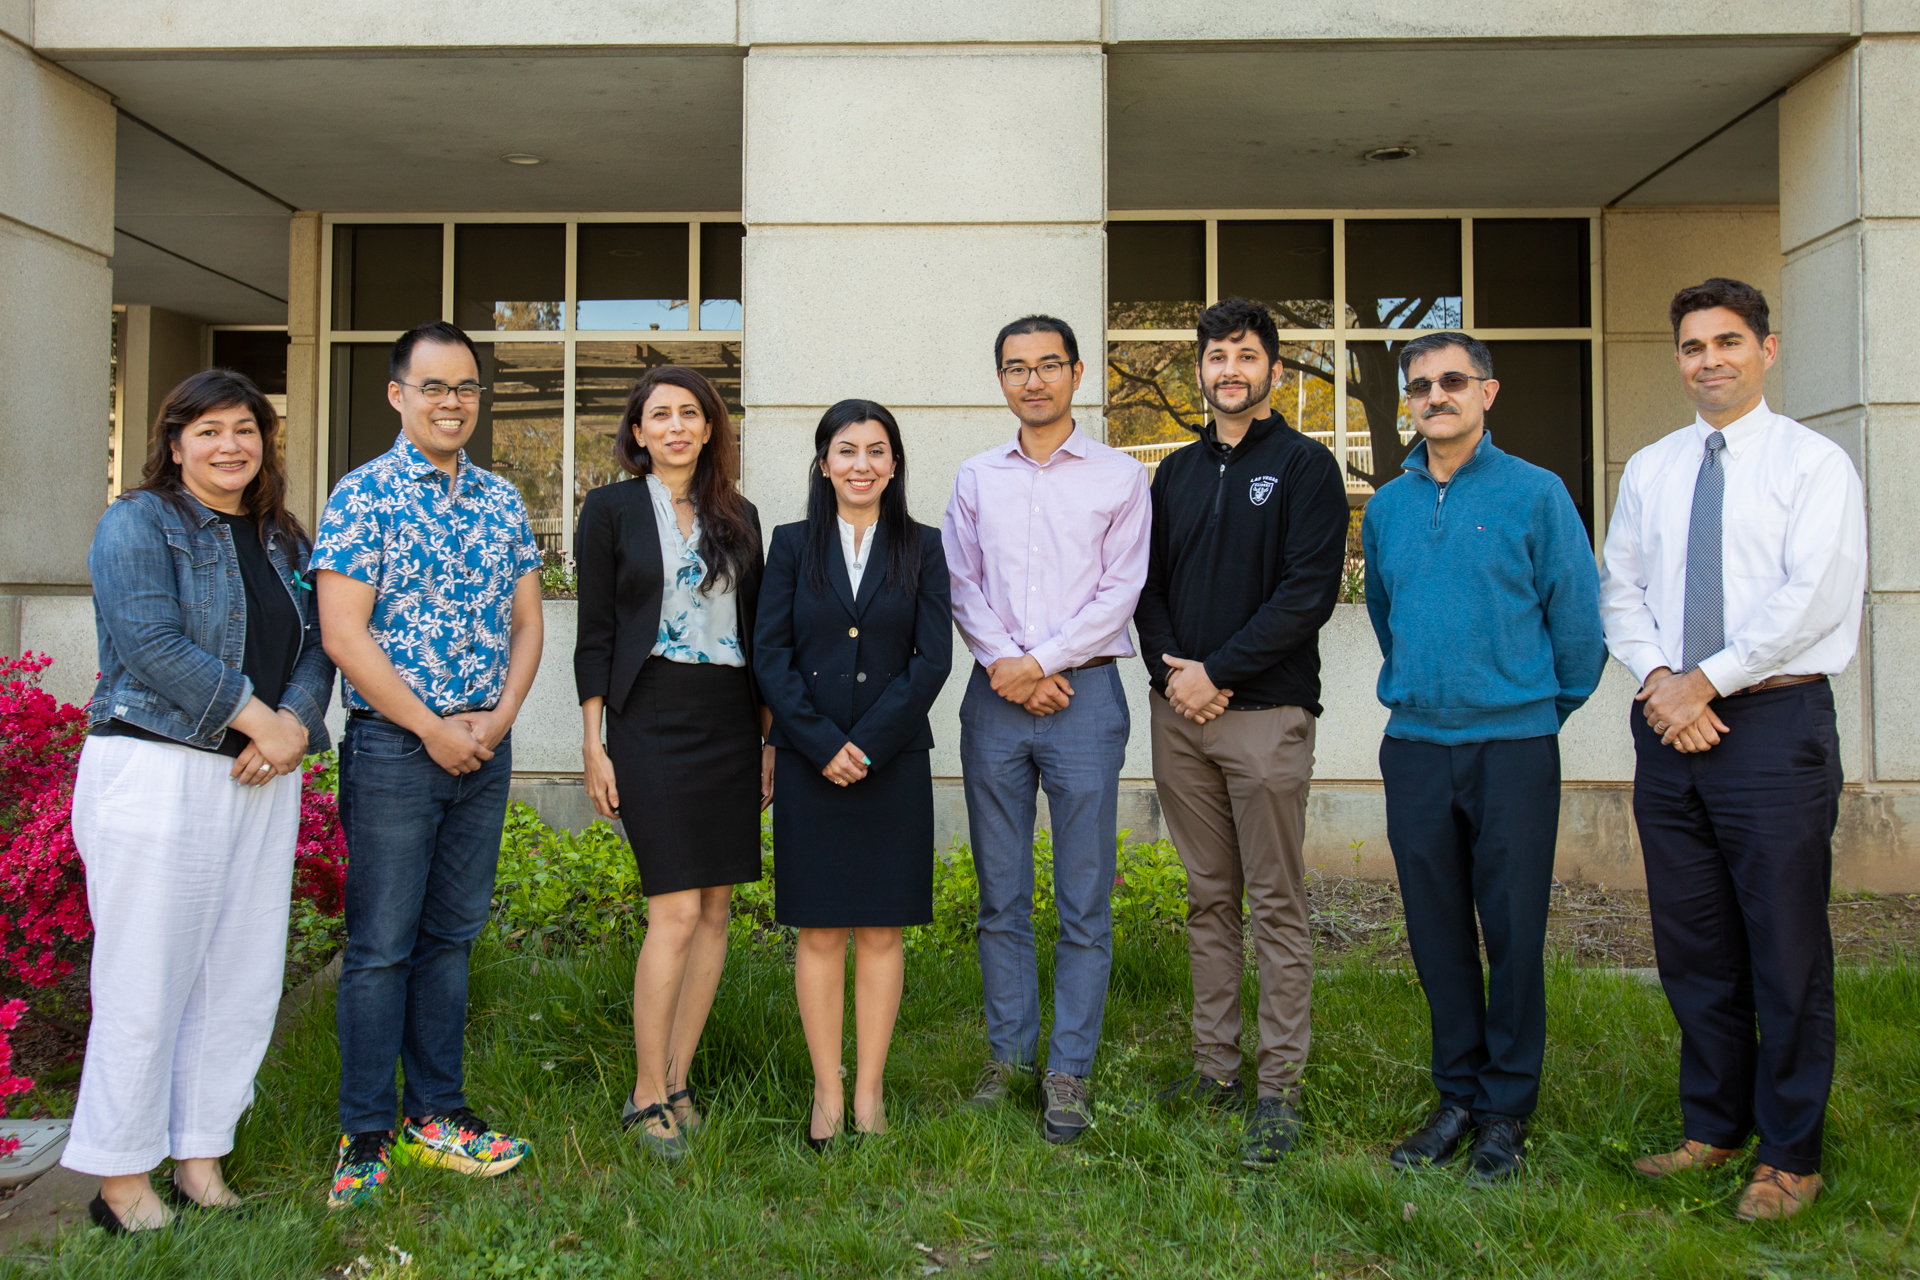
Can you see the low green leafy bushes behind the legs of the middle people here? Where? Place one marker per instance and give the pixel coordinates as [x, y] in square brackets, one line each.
[560, 888]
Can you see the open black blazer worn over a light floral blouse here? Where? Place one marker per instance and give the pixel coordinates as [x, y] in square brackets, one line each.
[617, 557]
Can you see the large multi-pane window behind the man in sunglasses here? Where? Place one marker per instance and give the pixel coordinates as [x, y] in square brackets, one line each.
[1524, 285]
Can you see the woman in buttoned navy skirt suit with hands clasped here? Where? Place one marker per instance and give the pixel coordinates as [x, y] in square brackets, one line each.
[852, 648]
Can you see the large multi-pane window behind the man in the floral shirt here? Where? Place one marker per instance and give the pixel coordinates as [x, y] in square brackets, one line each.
[567, 316]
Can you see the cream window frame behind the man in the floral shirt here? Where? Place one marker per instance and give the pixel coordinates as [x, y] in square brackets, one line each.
[569, 337]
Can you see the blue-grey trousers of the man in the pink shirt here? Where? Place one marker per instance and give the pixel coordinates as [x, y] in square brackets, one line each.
[1076, 755]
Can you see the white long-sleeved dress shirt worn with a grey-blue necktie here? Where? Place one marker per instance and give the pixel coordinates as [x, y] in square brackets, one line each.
[1794, 554]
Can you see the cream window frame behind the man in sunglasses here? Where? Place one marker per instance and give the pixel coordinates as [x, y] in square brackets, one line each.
[1341, 333]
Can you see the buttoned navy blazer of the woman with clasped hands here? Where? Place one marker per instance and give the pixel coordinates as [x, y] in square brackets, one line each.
[840, 671]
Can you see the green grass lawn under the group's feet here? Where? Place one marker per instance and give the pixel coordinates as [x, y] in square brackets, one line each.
[948, 1193]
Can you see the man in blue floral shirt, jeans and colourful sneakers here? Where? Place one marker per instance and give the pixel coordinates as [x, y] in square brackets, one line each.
[429, 588]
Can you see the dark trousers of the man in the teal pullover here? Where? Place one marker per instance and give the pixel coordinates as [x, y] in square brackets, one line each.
[1474, 832]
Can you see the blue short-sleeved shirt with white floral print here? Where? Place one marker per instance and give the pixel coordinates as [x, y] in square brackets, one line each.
[443, 561]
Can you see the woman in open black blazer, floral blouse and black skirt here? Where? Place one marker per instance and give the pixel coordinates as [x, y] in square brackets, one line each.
[669, 577]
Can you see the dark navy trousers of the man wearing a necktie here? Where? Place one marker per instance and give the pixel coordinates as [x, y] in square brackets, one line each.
[1740, 857]
